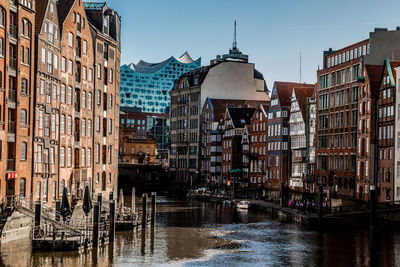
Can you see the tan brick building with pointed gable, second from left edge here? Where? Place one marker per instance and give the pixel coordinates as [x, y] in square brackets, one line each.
[46, 100]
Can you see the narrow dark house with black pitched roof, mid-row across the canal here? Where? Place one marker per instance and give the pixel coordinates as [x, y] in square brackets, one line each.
[235, 121]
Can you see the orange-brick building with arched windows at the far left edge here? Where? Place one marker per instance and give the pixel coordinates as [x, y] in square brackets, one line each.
[17, 46]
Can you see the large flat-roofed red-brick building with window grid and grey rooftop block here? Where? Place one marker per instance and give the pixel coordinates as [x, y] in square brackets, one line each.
[346, 87]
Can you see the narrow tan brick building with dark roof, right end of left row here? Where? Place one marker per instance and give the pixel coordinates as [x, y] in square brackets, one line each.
[105, 27]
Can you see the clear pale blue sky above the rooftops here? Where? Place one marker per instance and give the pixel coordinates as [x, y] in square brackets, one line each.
[271, 32]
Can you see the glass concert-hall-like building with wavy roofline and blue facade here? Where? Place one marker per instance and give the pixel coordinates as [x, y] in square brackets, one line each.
[146, 85]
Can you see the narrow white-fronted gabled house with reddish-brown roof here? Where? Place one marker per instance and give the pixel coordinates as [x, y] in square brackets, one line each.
[301, 131]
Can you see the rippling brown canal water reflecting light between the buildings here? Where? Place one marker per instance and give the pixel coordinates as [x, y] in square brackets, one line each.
[192, 233]
